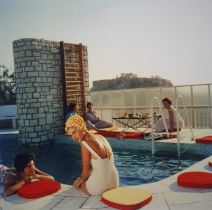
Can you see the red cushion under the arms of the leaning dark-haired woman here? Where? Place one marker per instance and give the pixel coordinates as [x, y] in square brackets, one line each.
[38, 189]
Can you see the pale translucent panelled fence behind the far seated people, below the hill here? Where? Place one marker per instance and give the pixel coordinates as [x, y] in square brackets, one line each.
[198, 102]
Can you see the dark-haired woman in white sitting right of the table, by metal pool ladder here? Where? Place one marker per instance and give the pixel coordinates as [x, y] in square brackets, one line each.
[170, 116]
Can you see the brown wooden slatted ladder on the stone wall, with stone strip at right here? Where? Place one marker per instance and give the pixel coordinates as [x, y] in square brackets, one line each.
[74, 61]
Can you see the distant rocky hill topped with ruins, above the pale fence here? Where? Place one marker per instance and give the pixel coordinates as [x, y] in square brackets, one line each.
[128, 81]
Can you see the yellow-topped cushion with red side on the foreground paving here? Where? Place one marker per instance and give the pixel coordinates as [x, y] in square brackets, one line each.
[126, 198]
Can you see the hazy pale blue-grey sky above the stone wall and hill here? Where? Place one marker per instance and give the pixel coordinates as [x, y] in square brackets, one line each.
[169, 38]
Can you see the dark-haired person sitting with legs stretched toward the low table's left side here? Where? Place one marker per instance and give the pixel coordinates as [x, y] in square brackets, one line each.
[93, 121]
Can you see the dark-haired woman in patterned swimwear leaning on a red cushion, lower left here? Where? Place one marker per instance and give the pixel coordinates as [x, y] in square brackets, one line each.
[24, 172]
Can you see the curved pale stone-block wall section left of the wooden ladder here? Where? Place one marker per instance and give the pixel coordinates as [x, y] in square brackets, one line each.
[39, 89]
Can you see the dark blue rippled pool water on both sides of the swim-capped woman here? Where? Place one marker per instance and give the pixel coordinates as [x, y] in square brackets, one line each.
[63, 161]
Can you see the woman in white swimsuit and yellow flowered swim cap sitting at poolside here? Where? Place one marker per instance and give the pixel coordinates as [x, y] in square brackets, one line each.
[99, 173]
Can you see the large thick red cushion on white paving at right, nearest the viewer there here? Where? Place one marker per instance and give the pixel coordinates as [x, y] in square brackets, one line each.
[195, 180]
